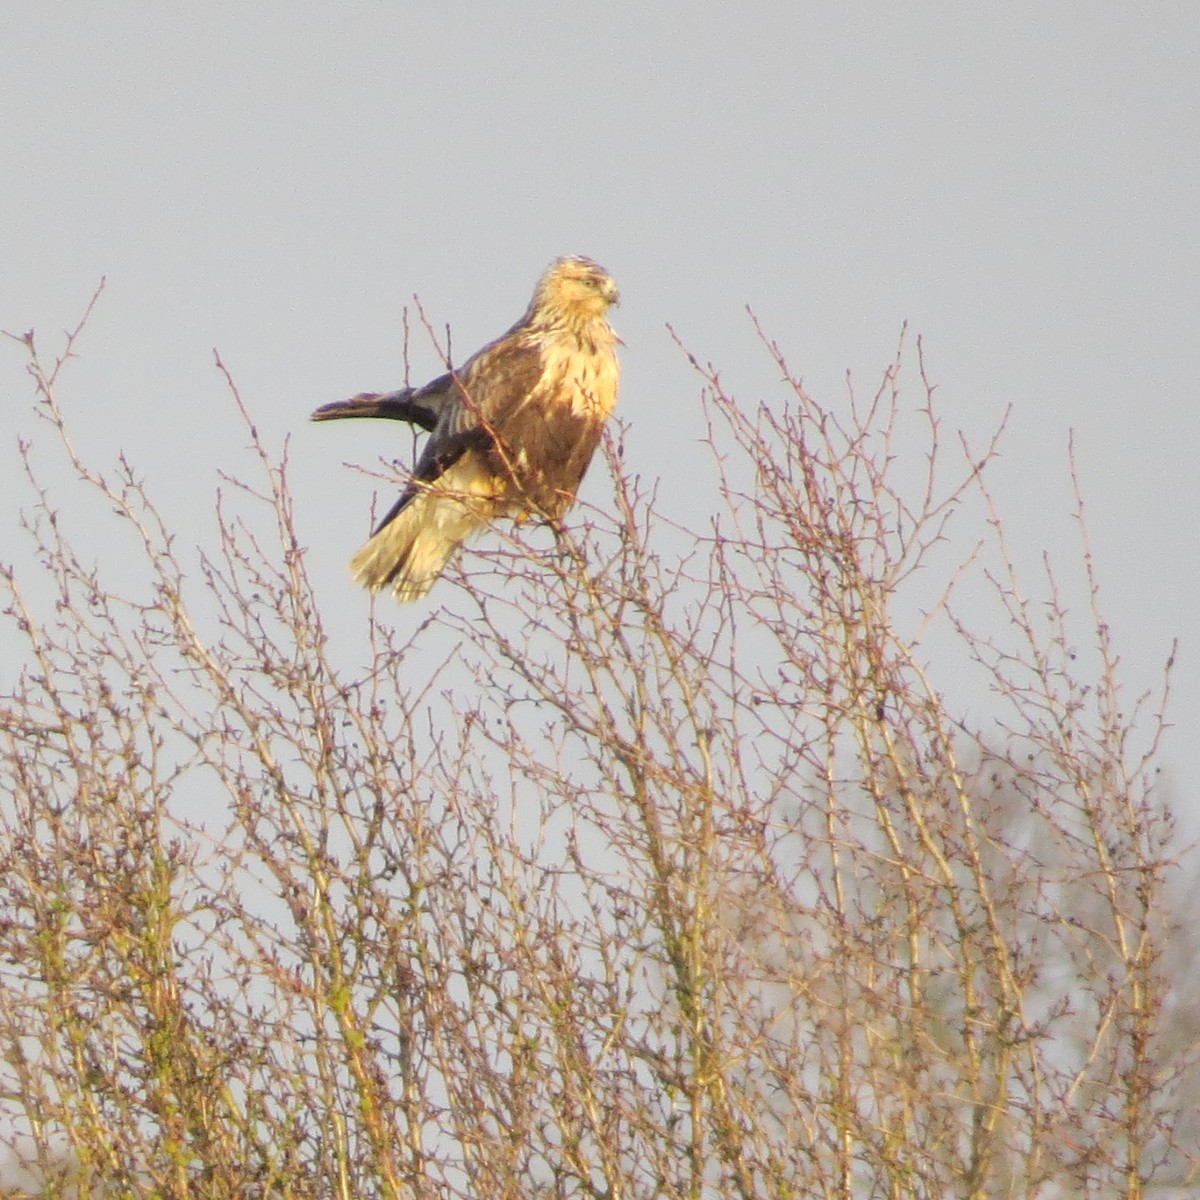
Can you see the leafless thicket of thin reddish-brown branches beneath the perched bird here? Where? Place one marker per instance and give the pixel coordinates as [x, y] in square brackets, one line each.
[658, 862]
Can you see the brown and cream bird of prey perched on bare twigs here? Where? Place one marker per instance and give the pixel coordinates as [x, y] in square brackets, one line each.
[512, 431]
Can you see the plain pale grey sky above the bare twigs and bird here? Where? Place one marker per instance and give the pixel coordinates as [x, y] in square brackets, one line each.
[1019, 183]
